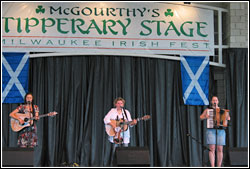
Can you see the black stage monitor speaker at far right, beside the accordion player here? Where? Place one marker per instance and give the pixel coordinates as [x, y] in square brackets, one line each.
[238, 156]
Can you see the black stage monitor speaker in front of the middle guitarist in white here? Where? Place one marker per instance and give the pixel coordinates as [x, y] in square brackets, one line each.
[132, 156]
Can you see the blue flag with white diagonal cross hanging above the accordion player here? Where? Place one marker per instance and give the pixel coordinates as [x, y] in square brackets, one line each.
[195, 79]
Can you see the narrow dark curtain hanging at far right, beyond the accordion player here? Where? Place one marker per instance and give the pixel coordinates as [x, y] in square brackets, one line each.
[237, 95]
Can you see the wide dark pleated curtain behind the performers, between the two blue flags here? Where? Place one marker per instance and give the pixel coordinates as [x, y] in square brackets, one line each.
[82, 89]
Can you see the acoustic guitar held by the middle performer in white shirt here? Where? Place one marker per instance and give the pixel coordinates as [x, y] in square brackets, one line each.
[123, 124]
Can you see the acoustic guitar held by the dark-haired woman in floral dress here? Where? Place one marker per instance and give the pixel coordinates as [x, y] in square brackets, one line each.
[16, 126]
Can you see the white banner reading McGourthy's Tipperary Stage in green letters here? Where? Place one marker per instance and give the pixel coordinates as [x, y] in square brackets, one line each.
[107, 28]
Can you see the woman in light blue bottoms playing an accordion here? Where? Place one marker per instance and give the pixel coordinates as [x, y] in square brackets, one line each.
[216, 130]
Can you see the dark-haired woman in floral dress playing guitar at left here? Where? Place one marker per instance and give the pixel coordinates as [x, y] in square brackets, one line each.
[27, 136]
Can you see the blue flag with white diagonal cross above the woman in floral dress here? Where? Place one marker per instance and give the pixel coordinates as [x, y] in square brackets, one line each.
[15, 71]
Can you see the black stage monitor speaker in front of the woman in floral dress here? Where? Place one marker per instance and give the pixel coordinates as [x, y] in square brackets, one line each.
[17, 157]
